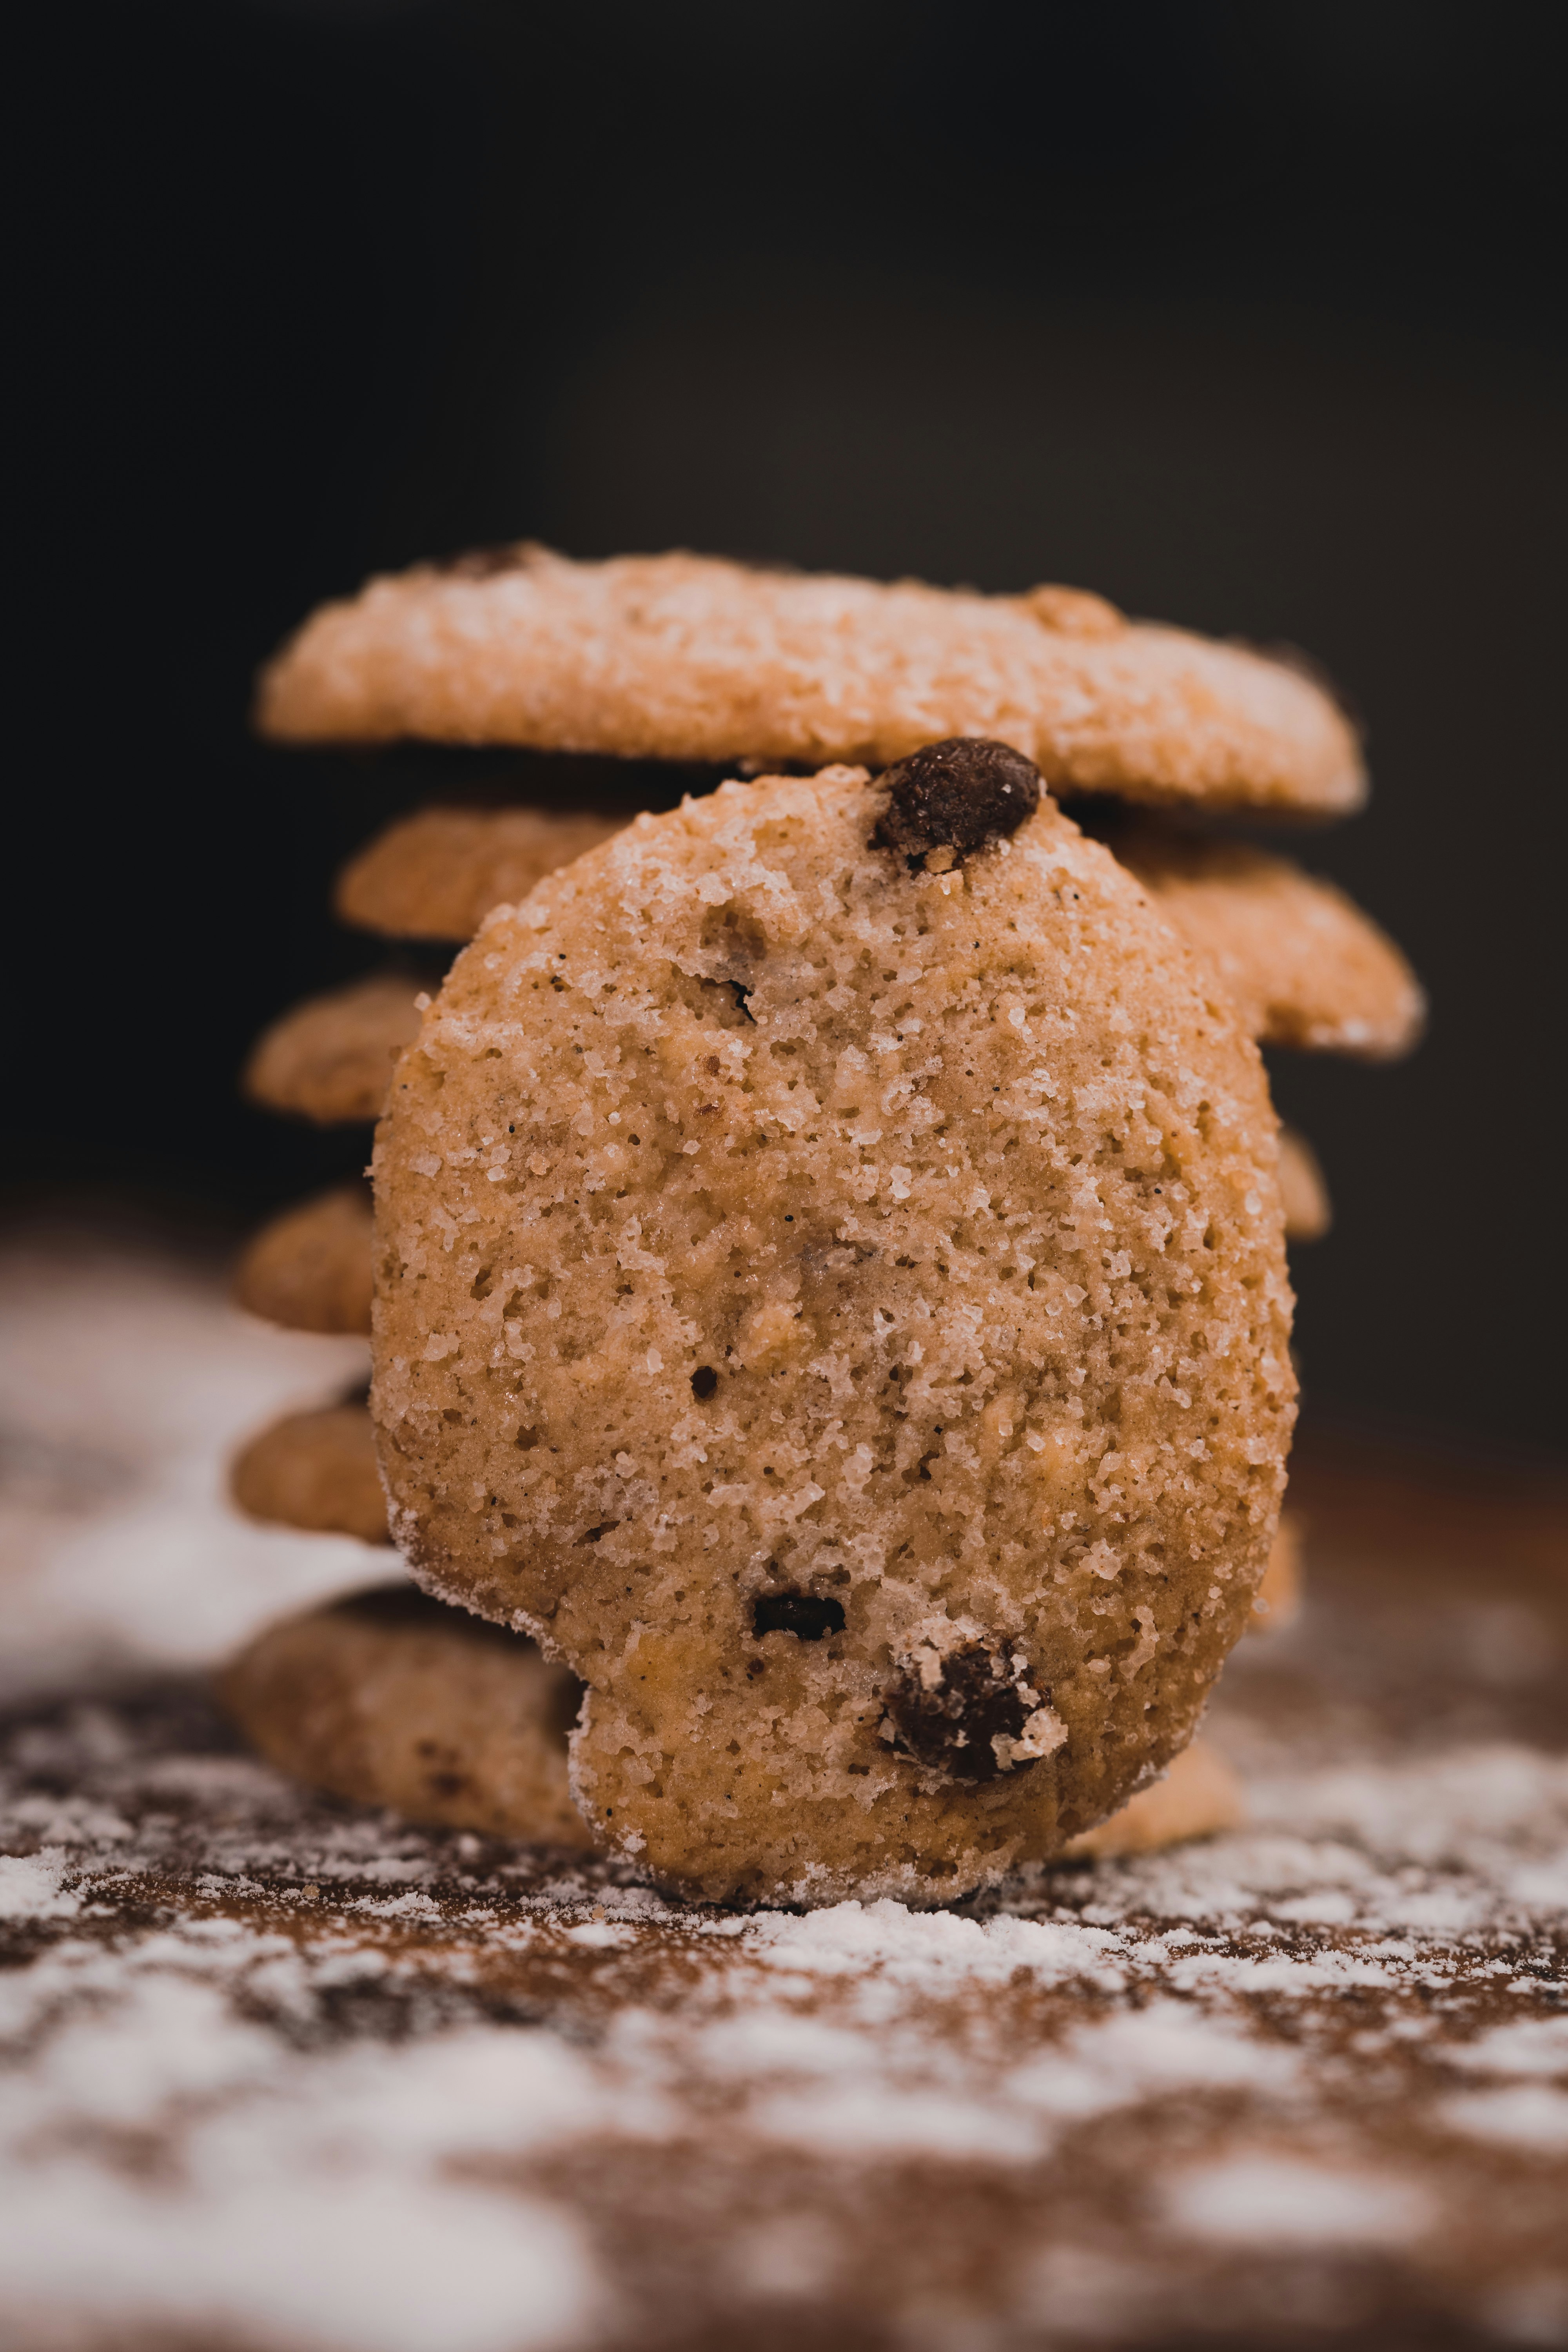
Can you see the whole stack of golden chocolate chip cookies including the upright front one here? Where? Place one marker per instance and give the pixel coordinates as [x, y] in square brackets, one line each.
[829, 1236]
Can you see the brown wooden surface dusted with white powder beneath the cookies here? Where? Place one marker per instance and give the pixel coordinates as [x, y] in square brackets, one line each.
[288, 2071]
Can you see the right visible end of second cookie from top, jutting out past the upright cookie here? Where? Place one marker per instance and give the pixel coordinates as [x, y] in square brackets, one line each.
[1304, 965]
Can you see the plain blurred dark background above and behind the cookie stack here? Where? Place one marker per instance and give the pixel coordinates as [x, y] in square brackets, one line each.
[1247, 316]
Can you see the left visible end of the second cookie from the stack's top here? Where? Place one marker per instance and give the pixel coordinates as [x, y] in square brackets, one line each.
[438, 874]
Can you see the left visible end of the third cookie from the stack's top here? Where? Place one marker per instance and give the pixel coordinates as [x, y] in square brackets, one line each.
[330, 1060]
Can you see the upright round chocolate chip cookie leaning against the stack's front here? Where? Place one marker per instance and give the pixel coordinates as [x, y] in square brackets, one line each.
[831, 1292]
